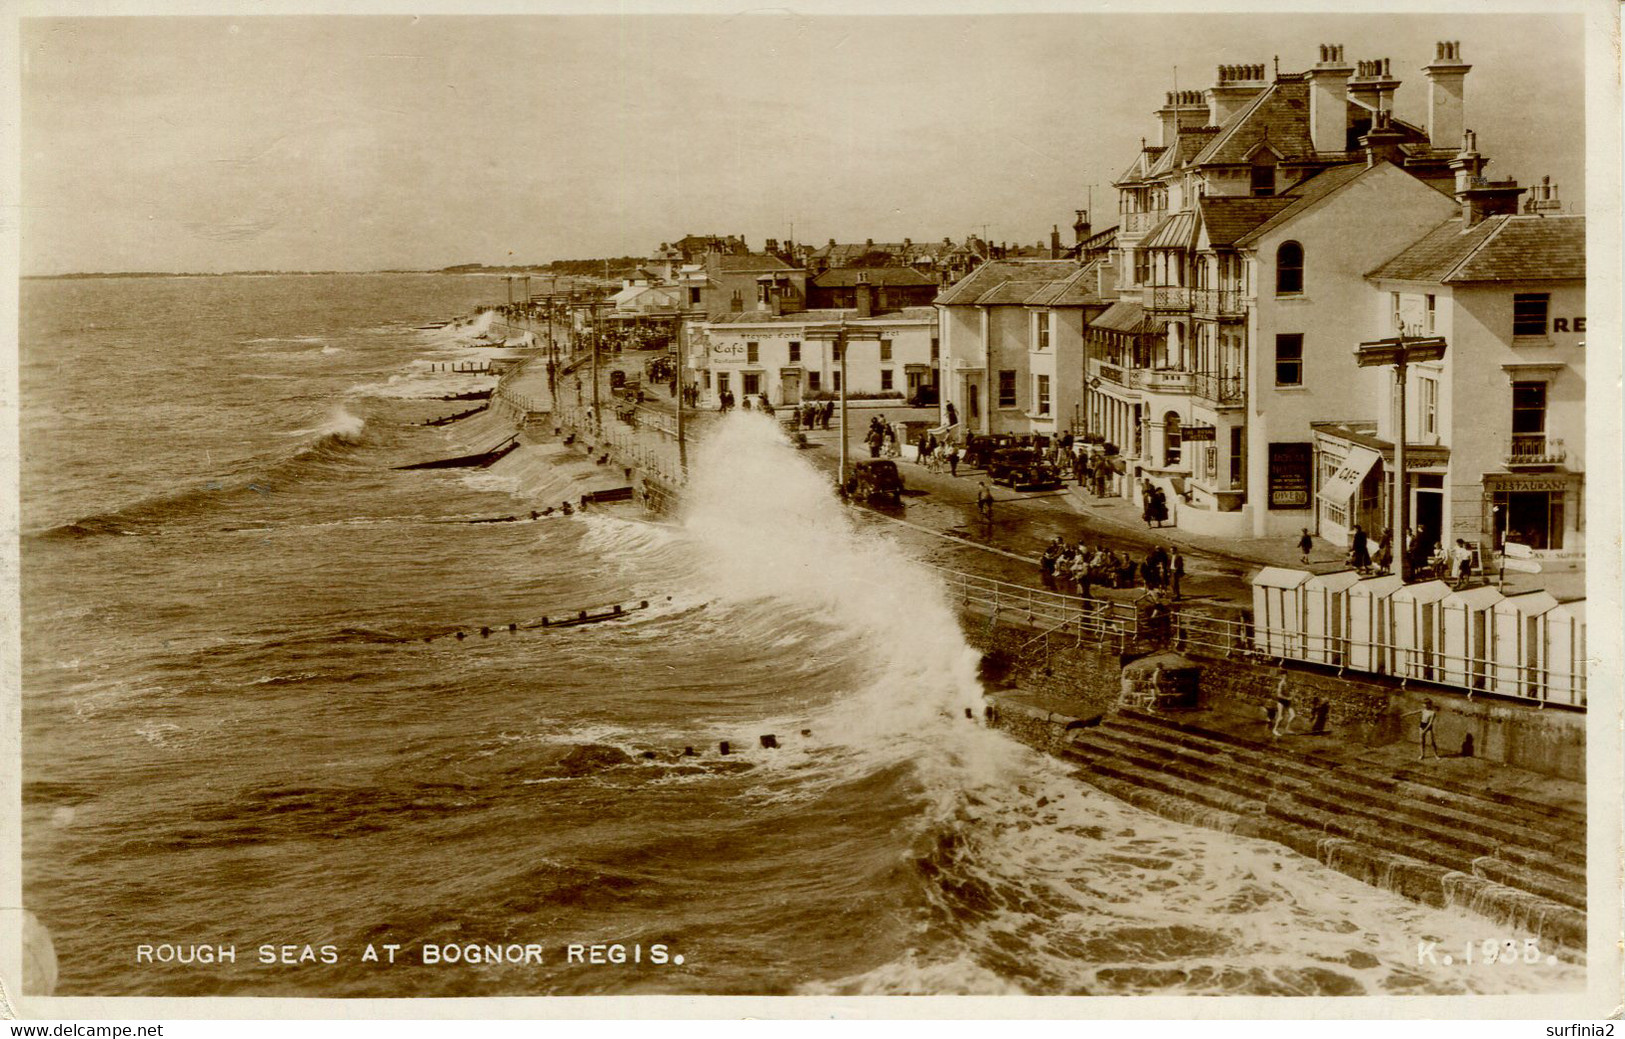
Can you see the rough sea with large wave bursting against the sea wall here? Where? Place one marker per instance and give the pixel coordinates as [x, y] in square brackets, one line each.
[249, 723]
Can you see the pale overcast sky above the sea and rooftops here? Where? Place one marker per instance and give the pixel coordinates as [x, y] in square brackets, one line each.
[357, 144]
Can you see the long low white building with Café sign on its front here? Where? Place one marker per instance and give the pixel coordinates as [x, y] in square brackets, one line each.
[792, 357]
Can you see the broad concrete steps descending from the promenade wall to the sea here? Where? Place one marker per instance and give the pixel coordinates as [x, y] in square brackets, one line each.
[1432, 838]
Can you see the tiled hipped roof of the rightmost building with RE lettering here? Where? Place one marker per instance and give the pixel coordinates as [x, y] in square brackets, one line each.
[1523, 248]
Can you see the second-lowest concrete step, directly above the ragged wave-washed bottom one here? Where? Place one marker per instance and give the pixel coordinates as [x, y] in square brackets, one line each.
[1382, 825]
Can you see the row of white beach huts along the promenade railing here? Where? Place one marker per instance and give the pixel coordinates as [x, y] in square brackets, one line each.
[1478, 640]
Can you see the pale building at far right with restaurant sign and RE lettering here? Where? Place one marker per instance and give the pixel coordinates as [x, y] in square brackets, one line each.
[1496, 430]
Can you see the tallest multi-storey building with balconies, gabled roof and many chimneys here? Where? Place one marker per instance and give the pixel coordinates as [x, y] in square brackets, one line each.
[1246, 235]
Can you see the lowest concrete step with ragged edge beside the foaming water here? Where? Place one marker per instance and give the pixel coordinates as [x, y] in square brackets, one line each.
[1200, 804]
